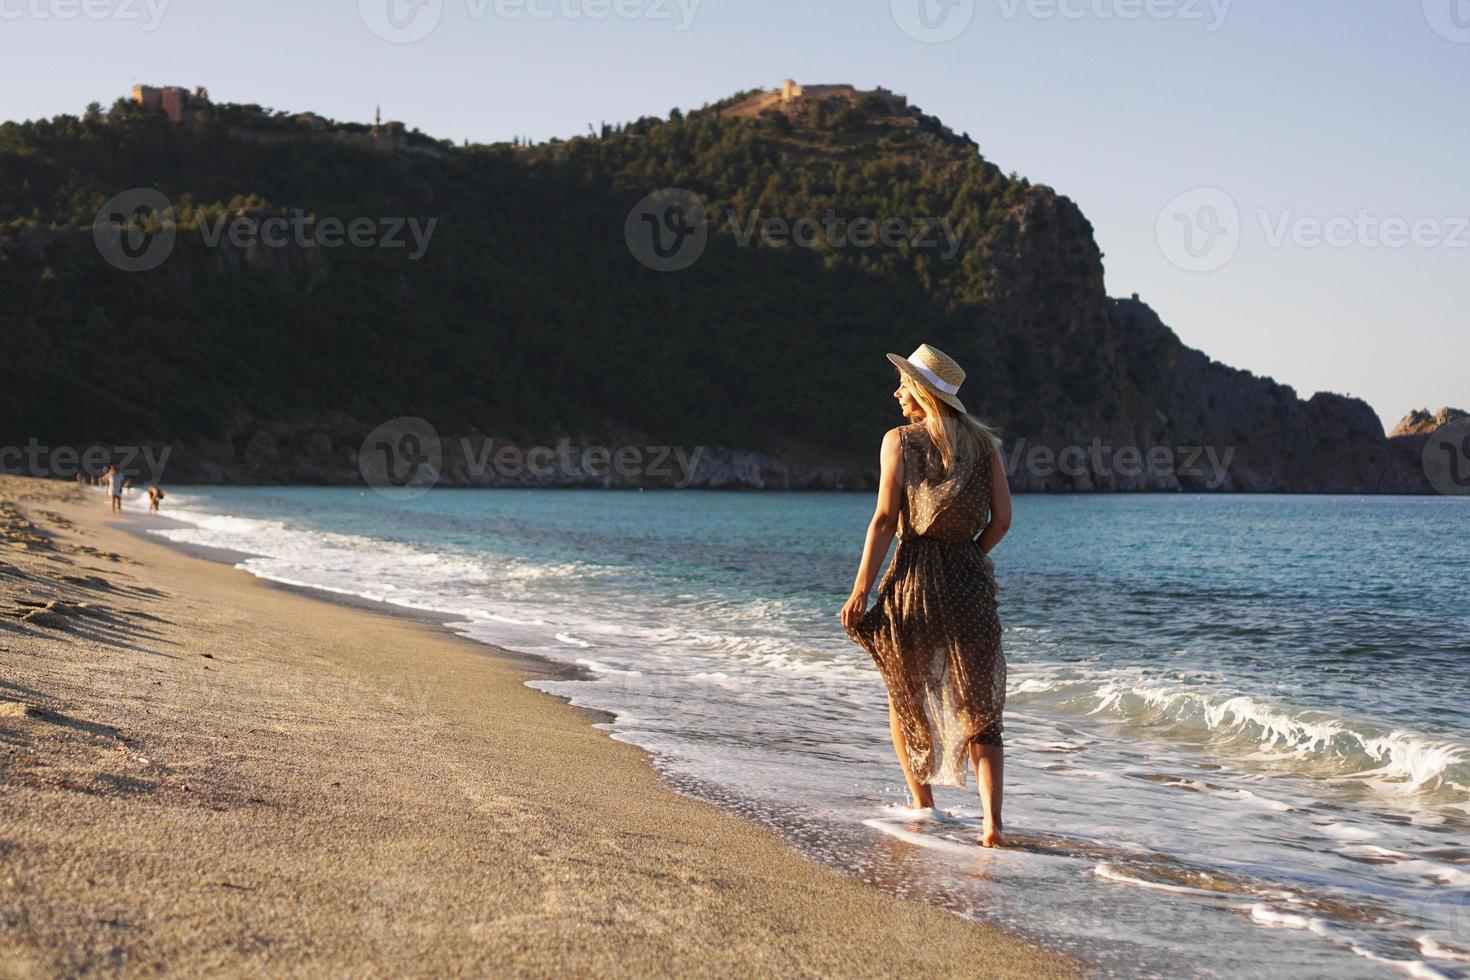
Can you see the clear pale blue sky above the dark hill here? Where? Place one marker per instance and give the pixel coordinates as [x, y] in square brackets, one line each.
[1303, 109]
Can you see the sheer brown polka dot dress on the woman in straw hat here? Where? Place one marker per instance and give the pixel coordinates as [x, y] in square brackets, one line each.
[934, 631]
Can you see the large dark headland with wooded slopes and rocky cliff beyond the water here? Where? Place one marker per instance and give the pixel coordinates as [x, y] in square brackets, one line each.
[530, 318]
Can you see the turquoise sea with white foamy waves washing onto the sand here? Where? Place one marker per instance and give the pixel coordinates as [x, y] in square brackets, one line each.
[1238, 728]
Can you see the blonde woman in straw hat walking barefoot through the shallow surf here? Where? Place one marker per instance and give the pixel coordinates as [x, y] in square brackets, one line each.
[934, 631]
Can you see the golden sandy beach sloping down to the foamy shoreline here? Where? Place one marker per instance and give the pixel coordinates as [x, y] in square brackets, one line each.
[207, 775]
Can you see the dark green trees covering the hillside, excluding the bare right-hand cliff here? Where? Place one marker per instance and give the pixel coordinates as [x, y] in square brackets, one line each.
[527, 314]
